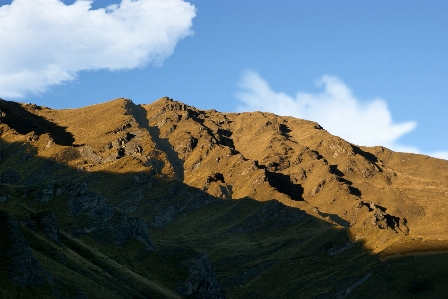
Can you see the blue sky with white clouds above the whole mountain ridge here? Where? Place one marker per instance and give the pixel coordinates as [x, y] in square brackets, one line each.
[372, 72]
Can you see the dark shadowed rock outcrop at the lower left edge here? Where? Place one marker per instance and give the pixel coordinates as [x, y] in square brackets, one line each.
[23, 268]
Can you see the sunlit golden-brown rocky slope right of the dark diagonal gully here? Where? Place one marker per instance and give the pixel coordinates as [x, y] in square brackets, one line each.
[301, 165]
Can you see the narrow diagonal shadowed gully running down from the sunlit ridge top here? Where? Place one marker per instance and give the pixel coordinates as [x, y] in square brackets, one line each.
[162, 144]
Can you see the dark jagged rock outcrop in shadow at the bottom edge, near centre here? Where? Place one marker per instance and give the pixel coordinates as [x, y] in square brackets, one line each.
[202, 283]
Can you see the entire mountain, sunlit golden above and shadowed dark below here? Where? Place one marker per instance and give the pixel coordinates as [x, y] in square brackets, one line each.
[119, 200]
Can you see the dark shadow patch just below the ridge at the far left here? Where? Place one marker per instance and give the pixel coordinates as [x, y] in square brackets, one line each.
[25, 122]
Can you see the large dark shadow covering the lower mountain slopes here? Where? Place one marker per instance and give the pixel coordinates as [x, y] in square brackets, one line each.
[246, 241]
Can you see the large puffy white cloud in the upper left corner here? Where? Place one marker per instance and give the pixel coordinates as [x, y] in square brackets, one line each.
[45, 42]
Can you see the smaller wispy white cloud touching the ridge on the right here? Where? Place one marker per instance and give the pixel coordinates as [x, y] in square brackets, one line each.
[335, 108]
